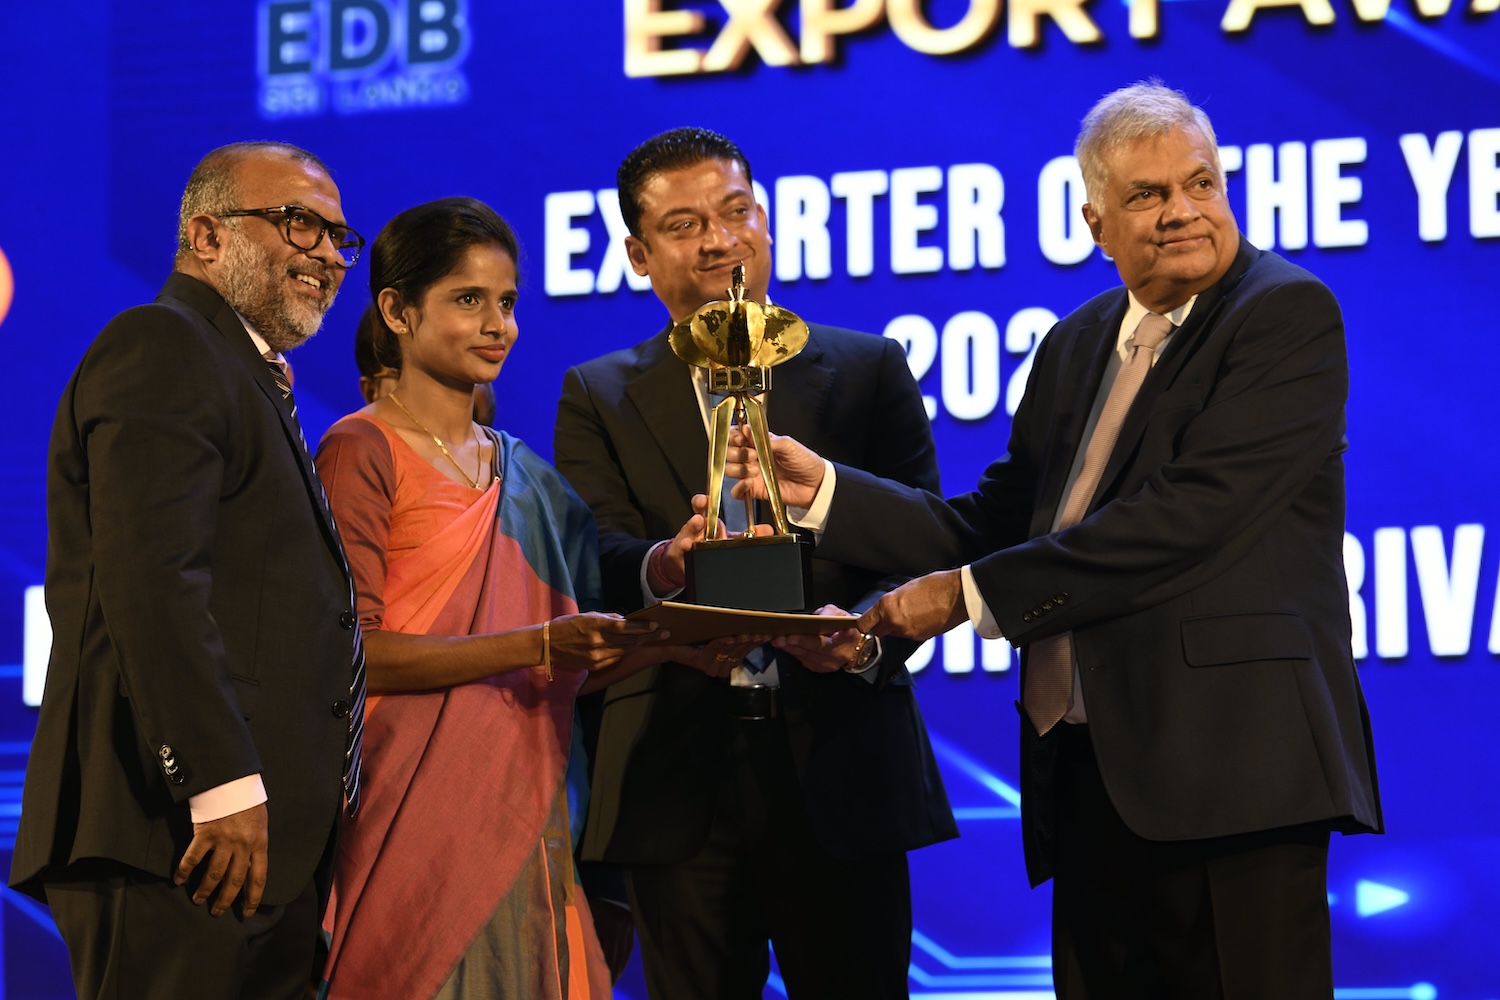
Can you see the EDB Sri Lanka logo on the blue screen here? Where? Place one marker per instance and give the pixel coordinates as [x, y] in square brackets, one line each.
[361, 55]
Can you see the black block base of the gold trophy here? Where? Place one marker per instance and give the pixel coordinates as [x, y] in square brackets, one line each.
[770, 573]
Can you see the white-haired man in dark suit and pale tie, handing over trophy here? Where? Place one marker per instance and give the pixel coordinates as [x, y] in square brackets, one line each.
[1165, 540]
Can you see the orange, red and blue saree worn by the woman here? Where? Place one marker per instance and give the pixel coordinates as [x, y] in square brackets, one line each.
[455, 879]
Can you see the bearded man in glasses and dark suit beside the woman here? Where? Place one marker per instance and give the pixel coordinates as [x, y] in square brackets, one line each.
[187, 777]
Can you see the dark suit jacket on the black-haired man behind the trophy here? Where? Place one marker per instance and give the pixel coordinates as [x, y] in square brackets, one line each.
[631, 440]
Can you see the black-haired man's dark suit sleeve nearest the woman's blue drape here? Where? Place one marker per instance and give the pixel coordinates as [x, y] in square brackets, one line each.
[587, 460]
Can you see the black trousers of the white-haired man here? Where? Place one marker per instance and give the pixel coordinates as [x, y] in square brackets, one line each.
[1231, 918]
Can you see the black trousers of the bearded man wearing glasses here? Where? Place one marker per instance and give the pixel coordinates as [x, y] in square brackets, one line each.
[134, 936]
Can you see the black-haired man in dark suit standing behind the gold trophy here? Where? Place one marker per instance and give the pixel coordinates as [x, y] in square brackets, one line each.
[778, 806]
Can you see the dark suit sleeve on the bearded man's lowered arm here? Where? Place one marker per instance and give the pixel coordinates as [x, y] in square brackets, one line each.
[154, 416]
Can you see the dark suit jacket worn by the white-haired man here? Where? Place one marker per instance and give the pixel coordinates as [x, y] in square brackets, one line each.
[1205, 590]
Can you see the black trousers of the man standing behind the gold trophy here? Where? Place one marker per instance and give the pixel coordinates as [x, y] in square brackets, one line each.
[841, 929]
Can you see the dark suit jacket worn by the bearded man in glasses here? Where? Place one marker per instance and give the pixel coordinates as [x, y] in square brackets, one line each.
[200, 608]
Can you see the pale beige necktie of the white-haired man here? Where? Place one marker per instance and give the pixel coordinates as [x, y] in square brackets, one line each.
[1048, 683]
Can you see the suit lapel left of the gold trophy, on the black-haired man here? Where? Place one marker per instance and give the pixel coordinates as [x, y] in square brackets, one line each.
[662, 394]
